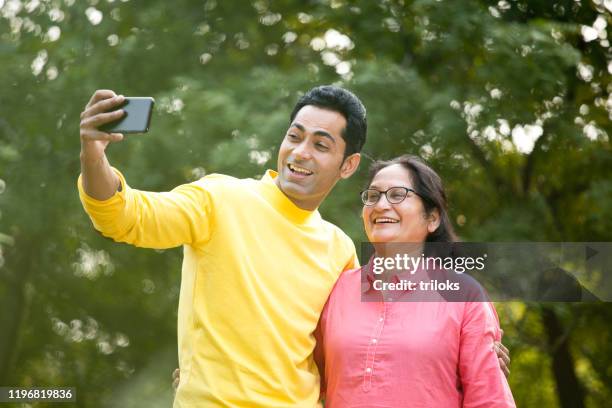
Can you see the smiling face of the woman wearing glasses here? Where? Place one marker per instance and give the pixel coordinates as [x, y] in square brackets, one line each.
[406, 221]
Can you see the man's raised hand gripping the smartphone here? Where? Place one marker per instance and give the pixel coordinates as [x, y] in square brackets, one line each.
[94, 141]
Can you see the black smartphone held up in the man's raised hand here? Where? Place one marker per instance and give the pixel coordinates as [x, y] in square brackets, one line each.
[137, 117]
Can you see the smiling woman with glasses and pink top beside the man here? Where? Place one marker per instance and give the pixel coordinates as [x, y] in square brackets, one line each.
[400, 352]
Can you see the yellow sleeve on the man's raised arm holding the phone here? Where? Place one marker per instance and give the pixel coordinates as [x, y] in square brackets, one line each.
[152, 220]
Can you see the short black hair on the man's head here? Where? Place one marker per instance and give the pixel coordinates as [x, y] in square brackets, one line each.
[344, 102]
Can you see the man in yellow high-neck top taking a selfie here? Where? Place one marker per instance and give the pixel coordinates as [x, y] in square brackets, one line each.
[259, 262]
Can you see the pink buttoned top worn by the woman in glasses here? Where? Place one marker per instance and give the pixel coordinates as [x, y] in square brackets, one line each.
[407, 354]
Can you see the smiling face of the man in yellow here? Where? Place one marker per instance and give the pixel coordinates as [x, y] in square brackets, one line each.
[310, 160]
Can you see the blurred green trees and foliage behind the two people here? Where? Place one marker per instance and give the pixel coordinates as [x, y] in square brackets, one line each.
[509, 100]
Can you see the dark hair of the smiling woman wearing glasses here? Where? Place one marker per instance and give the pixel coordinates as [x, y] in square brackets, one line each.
[428, 186]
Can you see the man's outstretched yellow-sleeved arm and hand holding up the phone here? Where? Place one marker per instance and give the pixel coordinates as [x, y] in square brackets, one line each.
[141, 218]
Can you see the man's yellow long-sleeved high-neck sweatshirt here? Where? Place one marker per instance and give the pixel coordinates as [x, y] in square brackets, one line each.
[256, 273]
